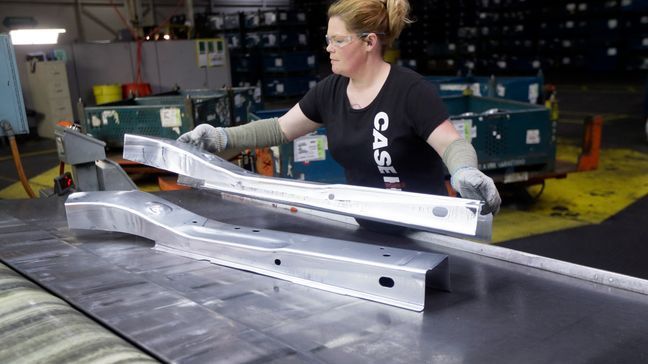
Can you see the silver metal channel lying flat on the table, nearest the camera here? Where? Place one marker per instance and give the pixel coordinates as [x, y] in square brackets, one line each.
[392, 276]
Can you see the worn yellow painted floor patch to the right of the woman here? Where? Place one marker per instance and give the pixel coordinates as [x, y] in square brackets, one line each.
[580, 199]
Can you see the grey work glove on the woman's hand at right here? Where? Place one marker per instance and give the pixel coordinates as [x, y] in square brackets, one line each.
[471, 183]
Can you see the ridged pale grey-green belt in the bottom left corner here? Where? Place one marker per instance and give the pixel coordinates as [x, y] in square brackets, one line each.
[36, 326]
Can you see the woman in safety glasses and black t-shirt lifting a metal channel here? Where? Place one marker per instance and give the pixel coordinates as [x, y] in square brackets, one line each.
[385, 124]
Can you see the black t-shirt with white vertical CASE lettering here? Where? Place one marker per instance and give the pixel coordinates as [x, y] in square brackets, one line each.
[384, 144]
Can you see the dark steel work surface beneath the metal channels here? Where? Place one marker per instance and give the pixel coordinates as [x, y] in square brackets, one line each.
[183, 310]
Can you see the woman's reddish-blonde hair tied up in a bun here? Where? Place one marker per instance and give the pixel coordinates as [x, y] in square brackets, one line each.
[373, 16]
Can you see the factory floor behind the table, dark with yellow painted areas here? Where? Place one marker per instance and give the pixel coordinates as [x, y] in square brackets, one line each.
[592, 218]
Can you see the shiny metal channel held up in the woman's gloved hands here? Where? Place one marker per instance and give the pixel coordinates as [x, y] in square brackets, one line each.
[415, 210]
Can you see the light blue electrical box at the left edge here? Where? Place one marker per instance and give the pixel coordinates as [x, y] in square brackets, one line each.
[12, 106]
